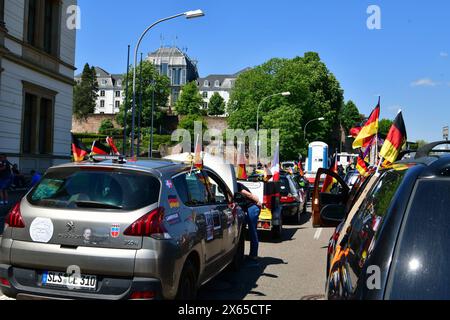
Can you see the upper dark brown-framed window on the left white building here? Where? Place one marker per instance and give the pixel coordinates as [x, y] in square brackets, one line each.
[42, 24]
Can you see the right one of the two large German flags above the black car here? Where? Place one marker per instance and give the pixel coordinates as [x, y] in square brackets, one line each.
[395, 140]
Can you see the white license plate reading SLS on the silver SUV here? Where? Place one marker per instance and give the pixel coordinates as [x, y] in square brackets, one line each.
[61, 279]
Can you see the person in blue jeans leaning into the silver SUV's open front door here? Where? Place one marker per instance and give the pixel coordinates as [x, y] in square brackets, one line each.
[252, 207]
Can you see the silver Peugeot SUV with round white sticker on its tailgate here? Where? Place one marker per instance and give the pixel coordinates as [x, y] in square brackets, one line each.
[116, 230]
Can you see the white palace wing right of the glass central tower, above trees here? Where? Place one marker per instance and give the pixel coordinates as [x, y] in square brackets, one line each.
[217, 83]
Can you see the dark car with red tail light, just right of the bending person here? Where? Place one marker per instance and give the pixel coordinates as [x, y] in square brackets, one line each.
[292, 198]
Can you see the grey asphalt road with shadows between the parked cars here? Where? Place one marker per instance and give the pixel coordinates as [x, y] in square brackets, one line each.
[293, 269]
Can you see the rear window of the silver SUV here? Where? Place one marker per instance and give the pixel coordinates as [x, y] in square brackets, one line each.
[95, 188]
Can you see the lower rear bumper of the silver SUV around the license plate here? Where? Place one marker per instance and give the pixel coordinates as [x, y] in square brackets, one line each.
[25, 284]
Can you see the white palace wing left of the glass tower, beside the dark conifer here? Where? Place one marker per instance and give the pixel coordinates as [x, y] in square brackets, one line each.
[111, 94]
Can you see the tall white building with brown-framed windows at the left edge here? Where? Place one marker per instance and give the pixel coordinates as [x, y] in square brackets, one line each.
[37, 55]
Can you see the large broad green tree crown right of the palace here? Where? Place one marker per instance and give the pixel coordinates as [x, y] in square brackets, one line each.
[315, 93]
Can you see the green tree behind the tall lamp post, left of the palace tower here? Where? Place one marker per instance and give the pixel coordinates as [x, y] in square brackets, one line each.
[151, 81]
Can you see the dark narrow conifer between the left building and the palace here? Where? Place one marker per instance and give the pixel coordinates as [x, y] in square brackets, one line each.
[85, 93]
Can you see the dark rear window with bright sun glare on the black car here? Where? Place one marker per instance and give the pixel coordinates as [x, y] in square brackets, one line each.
[420, 264]
